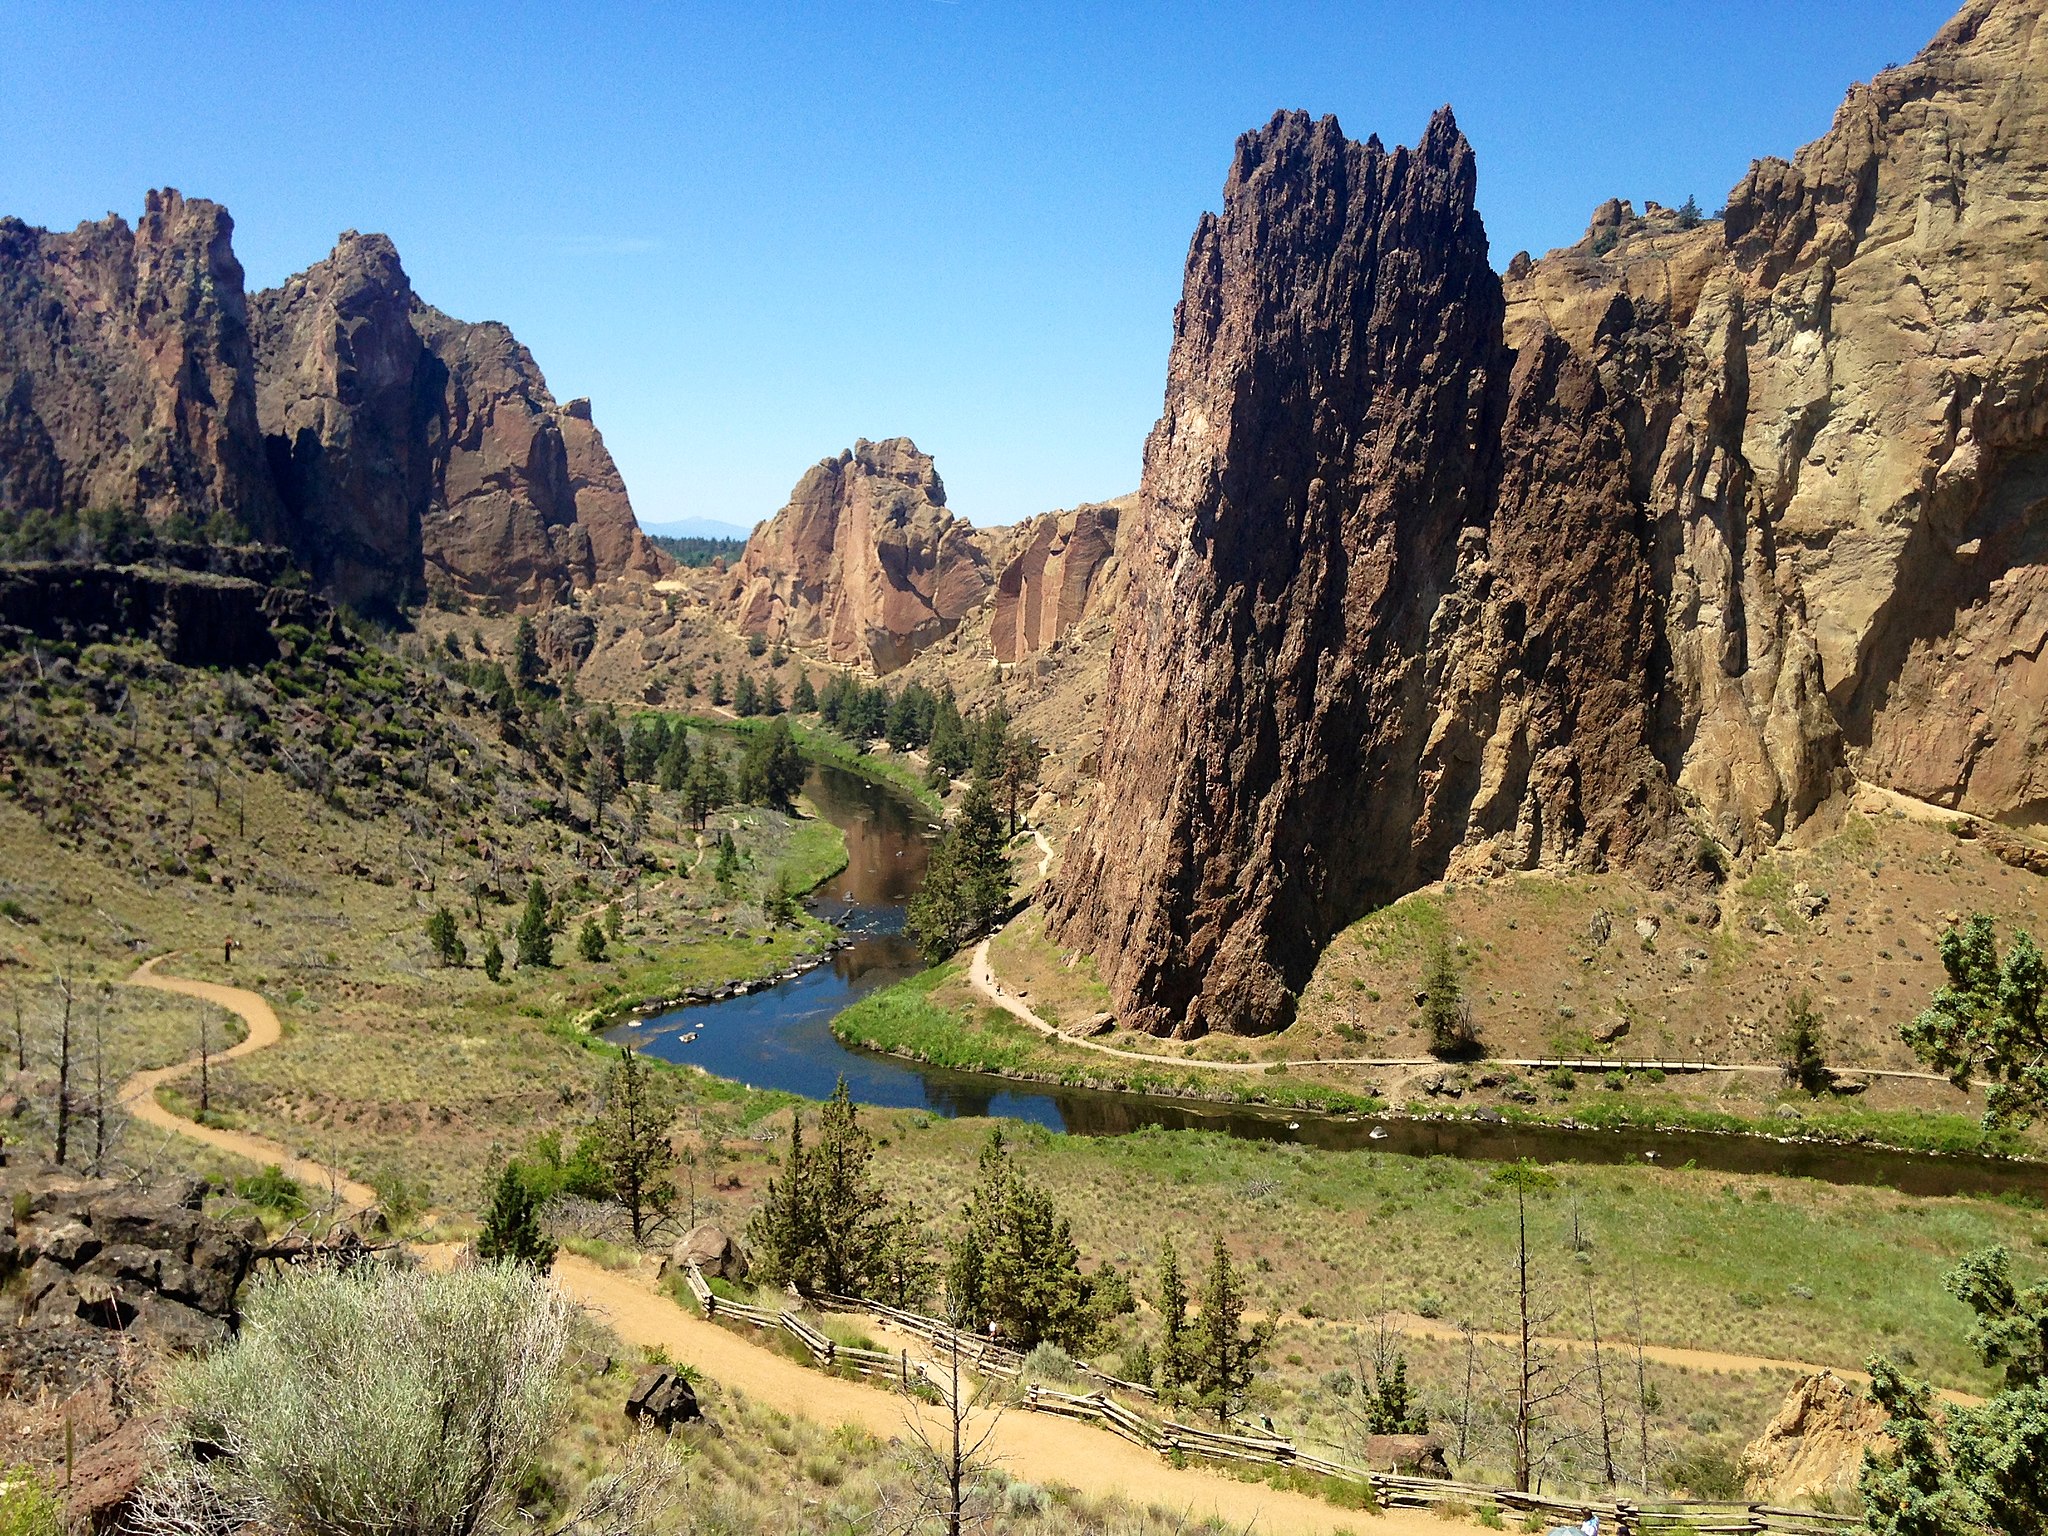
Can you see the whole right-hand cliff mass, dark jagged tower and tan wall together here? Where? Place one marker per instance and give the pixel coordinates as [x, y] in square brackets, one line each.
[1625, 560]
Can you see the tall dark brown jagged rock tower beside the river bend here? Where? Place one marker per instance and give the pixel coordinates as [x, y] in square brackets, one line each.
[1332, 427]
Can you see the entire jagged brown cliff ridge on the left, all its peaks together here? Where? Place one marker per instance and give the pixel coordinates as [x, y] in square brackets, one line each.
[386, 443]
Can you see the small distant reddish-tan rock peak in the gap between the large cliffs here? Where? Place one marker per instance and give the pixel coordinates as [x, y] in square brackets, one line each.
[865, 560]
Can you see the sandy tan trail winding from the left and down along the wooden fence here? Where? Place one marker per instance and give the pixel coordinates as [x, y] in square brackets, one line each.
[1027, 1445]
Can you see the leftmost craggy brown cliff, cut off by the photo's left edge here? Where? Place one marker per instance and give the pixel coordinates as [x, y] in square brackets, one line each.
[126, 370]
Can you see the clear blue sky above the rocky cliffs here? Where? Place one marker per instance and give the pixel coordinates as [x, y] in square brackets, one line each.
[755, 232]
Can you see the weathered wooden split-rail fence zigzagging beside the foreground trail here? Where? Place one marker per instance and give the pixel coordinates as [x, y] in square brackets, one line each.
[1170, 1439]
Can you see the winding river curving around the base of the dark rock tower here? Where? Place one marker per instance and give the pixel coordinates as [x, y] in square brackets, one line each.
[781, 1037]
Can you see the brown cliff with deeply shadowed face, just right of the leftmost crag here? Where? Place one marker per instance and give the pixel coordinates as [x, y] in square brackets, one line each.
[413, 445]
